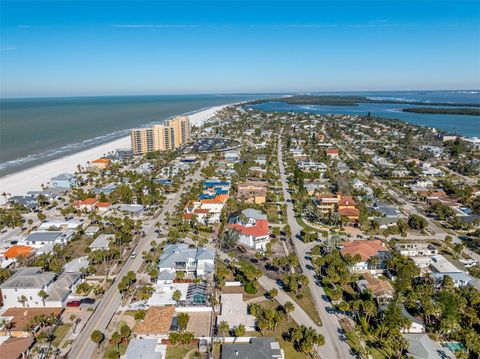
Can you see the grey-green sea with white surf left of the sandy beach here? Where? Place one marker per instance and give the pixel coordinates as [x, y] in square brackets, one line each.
[34, 131]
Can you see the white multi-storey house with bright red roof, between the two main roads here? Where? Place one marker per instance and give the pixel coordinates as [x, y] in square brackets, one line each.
[252, 227]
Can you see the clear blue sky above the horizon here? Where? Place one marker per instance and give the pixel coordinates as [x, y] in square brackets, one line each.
[67, 48]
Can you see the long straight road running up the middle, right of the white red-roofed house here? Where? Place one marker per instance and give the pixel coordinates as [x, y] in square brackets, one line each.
[335, 346]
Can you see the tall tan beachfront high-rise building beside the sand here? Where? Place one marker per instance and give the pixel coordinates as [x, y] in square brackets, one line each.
[172, 134]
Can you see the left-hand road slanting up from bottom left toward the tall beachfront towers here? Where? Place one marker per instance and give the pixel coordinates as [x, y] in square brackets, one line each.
[83, 347]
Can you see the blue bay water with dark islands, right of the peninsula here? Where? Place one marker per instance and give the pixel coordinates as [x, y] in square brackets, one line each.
[468, 126]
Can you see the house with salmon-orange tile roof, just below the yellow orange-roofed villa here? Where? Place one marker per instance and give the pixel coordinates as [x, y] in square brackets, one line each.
[372, 255]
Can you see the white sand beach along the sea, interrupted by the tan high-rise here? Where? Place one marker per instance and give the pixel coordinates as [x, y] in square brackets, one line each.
[31, 179]
